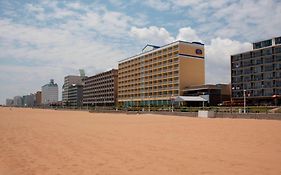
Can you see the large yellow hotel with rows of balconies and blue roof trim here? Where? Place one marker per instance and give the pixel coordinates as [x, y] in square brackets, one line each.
[159, 74]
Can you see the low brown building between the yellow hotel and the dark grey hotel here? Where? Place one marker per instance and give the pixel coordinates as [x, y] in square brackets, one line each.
[216, 93]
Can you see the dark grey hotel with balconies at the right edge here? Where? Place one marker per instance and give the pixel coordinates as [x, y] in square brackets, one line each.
[258, 73]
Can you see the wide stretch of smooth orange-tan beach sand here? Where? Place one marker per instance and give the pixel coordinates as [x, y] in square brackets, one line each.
[40, 142]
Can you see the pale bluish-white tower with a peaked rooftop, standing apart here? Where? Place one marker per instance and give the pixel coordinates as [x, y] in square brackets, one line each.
[50, 93]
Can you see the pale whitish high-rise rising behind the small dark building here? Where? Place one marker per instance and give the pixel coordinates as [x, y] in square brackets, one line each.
[68, 82]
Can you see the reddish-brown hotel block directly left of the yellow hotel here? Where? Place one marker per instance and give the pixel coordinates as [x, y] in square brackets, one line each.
[101, 89]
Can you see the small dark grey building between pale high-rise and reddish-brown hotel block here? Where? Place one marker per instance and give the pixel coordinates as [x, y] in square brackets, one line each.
[75, 95]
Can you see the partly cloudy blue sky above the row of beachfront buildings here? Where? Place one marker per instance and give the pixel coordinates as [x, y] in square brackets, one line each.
[49, 39]
